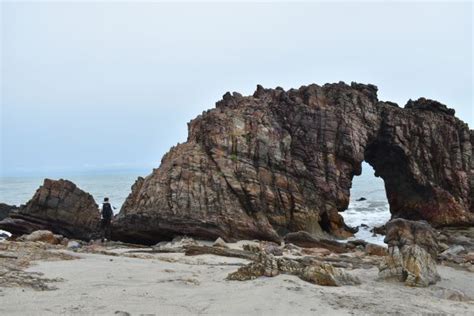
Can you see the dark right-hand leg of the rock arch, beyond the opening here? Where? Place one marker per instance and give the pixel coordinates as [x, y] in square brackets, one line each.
[424, 155]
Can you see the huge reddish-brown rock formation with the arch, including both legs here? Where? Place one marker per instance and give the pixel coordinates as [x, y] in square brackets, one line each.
[282, 161]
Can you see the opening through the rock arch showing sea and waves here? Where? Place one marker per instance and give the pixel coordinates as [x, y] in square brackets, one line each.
[368, 205]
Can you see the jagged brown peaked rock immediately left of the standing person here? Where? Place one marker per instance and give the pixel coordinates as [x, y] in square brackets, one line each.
[58, 206]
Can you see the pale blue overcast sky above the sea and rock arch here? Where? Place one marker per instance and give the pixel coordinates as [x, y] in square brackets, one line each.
[109, 86]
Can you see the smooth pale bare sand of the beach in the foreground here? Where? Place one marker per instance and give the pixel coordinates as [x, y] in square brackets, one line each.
[175, 284]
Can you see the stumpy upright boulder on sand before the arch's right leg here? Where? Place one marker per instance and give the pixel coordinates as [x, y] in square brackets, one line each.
[412, 251]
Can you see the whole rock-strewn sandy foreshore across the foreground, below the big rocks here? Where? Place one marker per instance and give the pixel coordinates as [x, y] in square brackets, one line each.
[51, 274]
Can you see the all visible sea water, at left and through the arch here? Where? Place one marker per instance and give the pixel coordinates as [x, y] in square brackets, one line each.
[372, 212]
